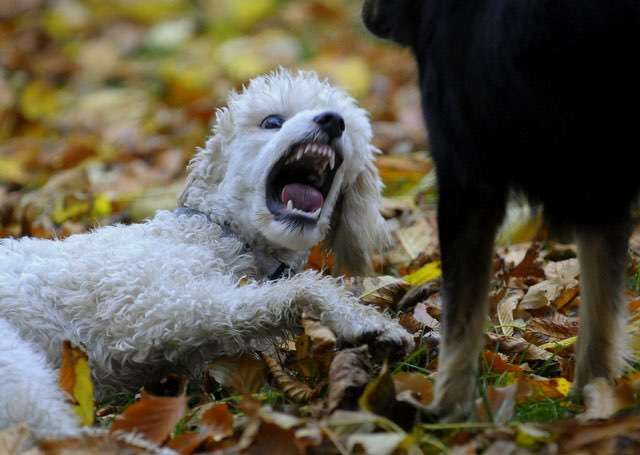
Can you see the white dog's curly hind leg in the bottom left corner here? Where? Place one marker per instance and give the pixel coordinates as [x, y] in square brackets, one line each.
[29, 390]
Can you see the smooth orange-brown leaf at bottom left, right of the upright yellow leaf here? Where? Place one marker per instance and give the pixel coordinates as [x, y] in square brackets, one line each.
[154, 418]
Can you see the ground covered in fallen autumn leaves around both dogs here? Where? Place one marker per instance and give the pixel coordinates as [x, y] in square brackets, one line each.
[101, 106]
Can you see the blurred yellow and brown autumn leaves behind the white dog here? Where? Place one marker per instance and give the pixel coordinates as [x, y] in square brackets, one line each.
[102, 103]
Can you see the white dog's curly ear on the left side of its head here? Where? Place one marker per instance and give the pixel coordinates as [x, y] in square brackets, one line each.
[208, 166]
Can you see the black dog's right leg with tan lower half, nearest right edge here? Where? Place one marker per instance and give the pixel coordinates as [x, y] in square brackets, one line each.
[601, 341]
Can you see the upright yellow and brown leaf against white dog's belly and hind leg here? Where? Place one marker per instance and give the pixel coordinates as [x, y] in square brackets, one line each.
[75, 379]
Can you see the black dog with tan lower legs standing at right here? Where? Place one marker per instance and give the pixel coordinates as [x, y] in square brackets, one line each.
[538, 96]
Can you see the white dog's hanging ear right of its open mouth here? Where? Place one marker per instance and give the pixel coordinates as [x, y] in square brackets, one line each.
[358, 229]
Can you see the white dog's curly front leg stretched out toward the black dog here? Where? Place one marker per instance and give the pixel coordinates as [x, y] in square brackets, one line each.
[219, 312]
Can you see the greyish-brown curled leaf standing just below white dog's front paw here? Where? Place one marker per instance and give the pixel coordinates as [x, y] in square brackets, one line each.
[348, 375]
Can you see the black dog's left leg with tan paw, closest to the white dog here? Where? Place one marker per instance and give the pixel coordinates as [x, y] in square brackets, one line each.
[468, 220]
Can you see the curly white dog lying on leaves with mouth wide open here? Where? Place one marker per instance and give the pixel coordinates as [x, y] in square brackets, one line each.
[289, 165]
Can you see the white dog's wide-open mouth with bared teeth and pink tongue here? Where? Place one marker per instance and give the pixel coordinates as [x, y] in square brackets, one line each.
[300, 181]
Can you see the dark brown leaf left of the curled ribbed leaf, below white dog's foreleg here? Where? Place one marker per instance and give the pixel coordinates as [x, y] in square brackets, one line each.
[244, 375]
